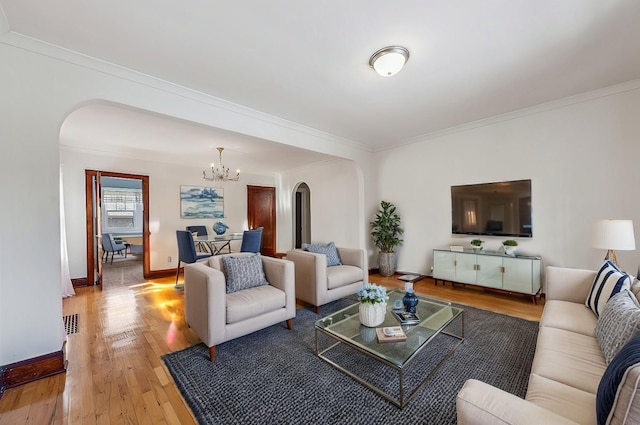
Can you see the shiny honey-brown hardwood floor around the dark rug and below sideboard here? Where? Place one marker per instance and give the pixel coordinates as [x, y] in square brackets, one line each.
[115, 374]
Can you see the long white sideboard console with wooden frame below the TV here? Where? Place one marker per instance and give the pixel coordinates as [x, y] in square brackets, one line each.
[489, 269]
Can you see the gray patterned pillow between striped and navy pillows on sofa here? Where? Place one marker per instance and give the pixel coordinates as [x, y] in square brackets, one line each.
[618, 323]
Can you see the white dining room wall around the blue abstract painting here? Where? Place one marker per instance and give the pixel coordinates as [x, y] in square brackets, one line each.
[164, 203]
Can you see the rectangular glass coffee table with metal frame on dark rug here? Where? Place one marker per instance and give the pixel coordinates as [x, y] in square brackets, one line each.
[347, 334]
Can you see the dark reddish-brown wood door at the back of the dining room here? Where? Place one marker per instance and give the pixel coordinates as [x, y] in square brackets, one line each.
[261, 212]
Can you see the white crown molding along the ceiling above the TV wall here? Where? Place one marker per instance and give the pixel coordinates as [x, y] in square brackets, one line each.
[543, 107]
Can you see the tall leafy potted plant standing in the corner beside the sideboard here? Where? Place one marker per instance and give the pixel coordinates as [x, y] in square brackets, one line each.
[386, 231]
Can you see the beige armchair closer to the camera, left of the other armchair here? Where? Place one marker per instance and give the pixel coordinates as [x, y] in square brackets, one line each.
[217, 317]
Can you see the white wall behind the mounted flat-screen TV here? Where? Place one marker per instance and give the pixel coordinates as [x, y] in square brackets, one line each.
[581, 157]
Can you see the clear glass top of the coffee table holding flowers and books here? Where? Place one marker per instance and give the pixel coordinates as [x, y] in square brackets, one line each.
[434, 316]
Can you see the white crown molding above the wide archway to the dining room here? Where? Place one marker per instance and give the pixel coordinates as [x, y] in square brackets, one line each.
[84, 61]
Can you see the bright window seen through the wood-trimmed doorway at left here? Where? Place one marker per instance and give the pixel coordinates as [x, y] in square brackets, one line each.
[120, 207]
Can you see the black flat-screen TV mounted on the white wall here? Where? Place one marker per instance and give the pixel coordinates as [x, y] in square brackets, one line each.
[496, 209]
